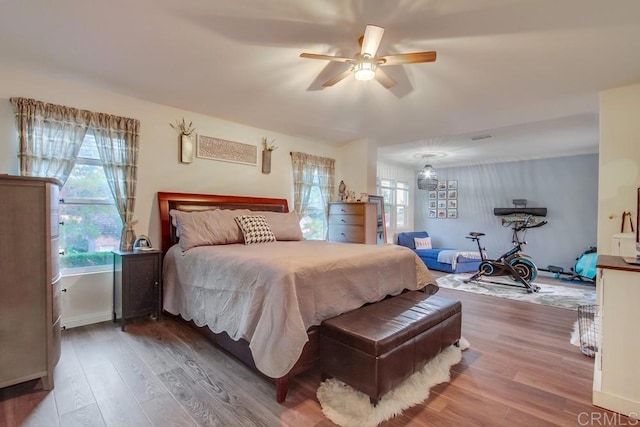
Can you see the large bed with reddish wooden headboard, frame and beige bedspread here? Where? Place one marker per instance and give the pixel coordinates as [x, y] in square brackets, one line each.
[244, 297]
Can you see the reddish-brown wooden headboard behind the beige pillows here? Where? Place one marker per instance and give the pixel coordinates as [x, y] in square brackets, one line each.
[199, 202]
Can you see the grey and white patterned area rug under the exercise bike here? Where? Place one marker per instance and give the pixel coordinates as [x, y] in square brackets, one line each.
[554, 295]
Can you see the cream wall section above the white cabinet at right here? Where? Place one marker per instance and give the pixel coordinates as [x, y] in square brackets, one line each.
[619, 160]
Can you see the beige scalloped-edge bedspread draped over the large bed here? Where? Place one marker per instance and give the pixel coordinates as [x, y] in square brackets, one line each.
[270, 294]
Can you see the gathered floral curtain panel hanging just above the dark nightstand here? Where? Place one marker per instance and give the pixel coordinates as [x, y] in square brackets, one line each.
[117, 139]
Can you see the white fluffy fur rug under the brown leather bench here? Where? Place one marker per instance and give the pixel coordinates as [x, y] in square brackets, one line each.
[348, 407]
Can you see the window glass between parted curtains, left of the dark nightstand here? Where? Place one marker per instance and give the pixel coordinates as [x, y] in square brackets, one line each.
[91, 223]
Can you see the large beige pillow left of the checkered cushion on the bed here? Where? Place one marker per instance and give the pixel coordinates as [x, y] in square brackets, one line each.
[211, 227]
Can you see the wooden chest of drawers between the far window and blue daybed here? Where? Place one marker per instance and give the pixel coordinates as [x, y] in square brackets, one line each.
[353, 222]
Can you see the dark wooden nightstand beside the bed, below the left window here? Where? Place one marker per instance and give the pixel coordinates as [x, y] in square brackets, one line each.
[137, 284]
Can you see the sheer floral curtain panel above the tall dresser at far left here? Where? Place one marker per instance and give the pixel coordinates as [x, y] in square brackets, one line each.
[50, 137]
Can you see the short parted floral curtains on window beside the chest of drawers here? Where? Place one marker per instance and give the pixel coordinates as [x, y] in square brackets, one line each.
[306, 169]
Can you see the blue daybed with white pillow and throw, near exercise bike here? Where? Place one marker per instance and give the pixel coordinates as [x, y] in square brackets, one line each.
[448, 260]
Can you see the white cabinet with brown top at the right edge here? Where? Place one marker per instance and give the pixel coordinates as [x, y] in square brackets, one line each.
[616, 379]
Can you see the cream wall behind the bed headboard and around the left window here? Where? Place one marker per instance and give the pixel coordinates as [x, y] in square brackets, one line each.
[159, 168]
